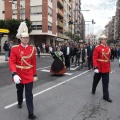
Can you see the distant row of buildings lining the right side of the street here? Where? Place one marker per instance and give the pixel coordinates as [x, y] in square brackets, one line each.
[112, 29]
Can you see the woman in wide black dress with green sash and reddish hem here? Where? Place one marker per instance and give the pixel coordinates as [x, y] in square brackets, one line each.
[58, 66]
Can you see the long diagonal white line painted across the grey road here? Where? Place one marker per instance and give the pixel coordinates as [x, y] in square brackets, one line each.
[50, 88]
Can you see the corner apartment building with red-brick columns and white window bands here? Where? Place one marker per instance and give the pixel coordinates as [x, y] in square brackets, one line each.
[42, 13]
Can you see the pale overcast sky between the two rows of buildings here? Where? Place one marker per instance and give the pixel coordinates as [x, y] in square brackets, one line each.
[100, 10]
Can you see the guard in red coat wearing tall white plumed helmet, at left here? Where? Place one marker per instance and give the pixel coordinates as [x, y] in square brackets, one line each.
[22, 64]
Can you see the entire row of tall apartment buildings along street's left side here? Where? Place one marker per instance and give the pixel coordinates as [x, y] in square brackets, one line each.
[50, 18]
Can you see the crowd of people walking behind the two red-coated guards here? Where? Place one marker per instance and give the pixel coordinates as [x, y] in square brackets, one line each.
[79, 53]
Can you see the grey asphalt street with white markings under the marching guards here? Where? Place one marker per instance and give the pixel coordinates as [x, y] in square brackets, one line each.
[65, 97]
